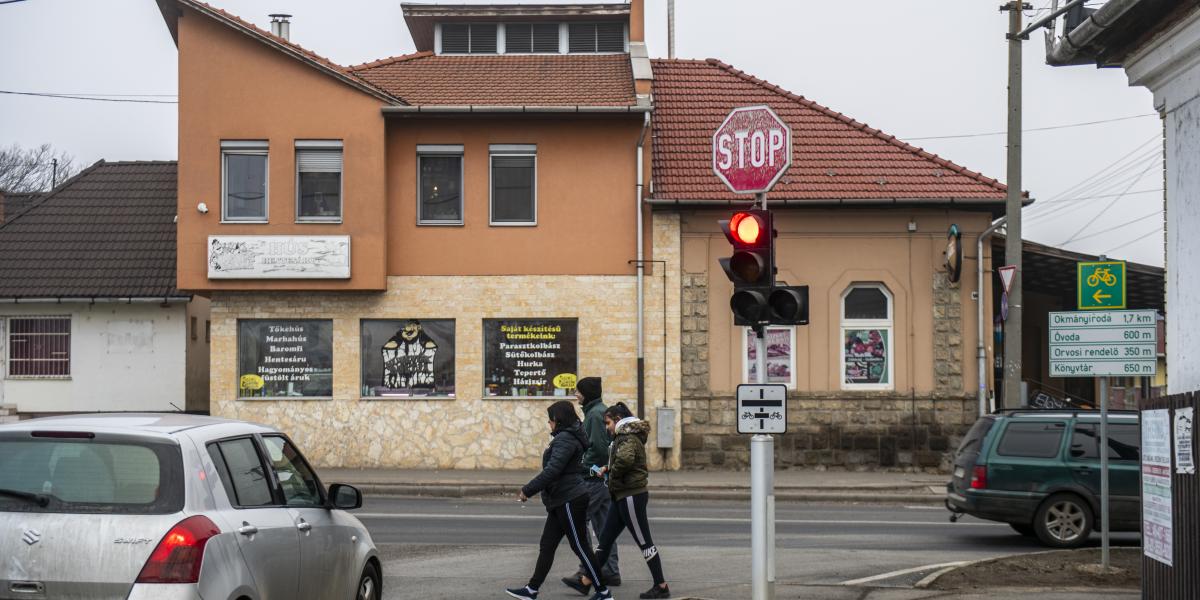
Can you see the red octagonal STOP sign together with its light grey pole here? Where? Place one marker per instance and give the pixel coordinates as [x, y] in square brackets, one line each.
[752, 151]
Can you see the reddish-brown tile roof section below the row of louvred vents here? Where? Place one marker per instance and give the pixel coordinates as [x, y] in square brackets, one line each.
[507, 80]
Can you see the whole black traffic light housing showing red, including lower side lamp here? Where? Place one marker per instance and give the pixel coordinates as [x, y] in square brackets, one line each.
[757, 299]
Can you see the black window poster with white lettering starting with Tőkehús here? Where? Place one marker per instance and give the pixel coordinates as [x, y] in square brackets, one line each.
[283, 359]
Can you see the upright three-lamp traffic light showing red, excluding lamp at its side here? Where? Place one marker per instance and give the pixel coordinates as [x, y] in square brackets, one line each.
[752, 268]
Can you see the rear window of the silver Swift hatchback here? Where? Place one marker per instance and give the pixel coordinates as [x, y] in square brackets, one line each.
[87, 476]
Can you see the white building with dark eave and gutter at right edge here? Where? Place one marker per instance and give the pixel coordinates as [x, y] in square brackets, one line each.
[1159, 45]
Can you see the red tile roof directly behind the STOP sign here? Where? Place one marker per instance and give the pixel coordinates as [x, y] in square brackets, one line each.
[836, 158]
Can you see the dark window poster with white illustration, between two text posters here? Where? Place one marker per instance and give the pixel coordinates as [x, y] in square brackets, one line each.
[406, 358]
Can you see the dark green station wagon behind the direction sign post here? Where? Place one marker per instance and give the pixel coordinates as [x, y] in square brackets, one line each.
[1040, 472]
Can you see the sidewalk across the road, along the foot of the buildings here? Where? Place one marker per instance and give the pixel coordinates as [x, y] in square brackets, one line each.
[794, 485]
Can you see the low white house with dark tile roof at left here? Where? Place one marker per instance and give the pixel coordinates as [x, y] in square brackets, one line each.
[91, 319]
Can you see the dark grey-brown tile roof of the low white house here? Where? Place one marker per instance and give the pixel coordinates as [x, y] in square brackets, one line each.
[109, 232]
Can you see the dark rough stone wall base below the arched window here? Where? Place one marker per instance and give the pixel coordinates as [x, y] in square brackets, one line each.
[891, 431]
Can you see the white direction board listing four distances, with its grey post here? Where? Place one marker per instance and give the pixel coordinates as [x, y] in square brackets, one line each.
[1105, 344]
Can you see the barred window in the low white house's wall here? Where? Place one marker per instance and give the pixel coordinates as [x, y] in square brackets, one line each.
[40, 347]
